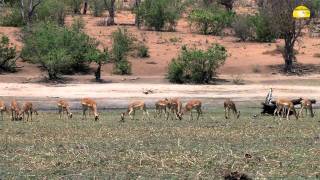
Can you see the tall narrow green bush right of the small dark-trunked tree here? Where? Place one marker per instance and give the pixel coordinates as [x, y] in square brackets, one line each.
[121, 44]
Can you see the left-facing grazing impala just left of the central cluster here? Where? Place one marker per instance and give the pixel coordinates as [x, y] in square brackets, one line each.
[132, 107]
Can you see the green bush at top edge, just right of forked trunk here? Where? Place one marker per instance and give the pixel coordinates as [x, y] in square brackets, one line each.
[51, 10]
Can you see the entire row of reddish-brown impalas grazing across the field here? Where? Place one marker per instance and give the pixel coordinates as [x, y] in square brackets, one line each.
[169, 107]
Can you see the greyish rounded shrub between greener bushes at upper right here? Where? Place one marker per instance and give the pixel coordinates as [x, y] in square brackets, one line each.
[243, 28]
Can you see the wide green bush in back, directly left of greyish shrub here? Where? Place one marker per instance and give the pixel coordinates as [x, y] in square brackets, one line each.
[210, 20]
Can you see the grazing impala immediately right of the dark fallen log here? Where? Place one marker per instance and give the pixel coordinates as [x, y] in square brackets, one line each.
[284, 105]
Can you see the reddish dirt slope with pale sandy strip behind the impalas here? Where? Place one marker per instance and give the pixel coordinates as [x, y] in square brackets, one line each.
[253, 65]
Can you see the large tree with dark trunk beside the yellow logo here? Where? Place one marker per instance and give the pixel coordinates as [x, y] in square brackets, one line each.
[286, 26]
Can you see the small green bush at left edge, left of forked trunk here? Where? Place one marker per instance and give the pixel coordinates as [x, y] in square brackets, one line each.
[12, 18]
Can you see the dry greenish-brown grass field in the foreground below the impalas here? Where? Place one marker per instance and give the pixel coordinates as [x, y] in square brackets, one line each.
[49, 148]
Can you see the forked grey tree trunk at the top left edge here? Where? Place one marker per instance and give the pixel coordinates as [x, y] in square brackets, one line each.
[27, 9]
